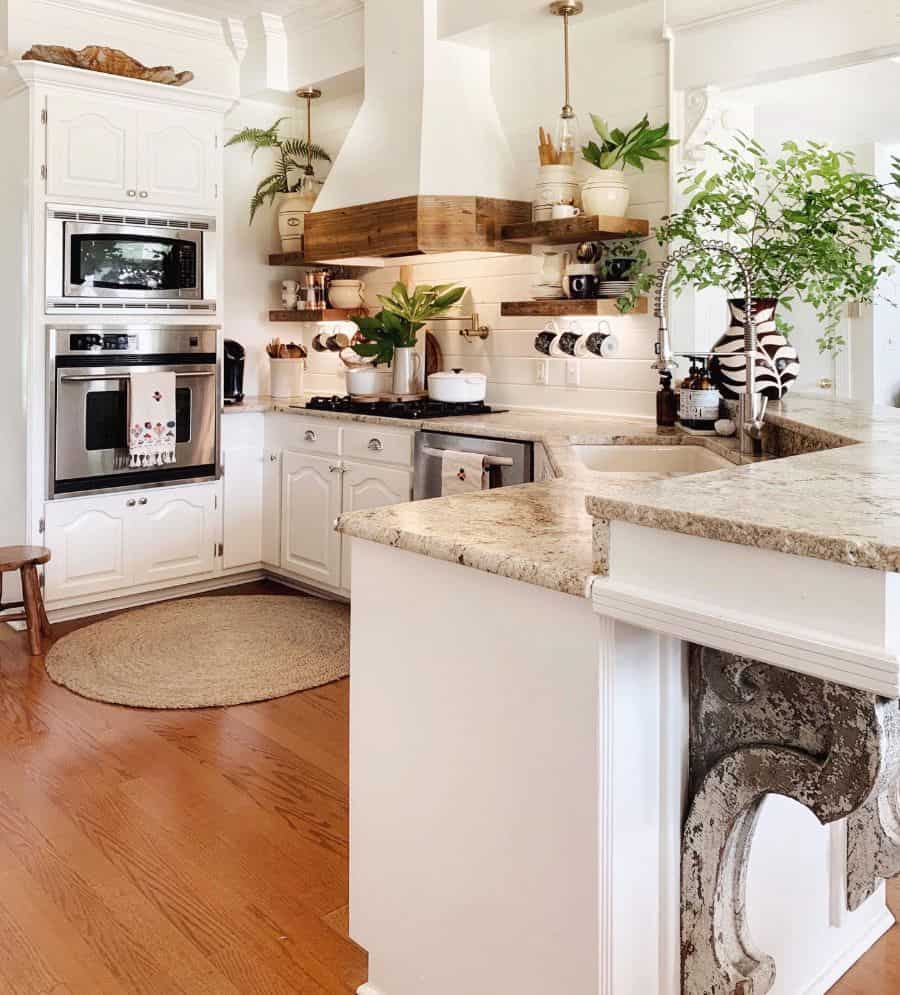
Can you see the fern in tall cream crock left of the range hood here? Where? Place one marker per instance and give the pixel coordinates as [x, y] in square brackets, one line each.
[293, 179]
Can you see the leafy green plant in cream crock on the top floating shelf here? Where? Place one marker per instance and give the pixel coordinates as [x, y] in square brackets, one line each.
[606, 190]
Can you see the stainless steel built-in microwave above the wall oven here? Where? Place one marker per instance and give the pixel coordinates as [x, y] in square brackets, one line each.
[106, 261]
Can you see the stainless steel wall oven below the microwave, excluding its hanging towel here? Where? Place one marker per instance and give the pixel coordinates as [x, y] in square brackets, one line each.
[88, 382]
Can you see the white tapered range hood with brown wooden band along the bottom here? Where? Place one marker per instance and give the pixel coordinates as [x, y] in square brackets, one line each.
[427, 135]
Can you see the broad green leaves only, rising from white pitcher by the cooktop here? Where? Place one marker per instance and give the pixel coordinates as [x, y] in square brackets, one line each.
[402, 315]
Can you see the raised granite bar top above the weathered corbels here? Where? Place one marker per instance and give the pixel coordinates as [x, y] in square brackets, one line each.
[841, 503]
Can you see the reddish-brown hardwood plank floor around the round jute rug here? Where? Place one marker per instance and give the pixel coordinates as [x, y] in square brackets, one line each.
[200, 852]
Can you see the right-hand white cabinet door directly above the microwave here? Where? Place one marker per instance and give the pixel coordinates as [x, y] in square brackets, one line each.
[177, 159]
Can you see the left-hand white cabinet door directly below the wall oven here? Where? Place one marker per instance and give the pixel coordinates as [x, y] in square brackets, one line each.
[88, 541]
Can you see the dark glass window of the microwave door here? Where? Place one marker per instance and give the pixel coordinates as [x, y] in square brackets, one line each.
[133, 262]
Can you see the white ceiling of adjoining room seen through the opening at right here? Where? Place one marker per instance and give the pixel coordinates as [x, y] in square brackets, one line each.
[850, 106]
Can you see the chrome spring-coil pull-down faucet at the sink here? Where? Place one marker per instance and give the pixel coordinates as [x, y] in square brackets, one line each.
[752, 407]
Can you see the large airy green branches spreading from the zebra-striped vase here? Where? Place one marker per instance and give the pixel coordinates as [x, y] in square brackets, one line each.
[809, 226]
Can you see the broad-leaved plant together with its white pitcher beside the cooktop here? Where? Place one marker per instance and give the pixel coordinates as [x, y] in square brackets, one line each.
[390, 336]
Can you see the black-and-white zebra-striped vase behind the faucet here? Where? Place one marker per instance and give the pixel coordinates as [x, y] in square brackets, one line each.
[777, 362]
